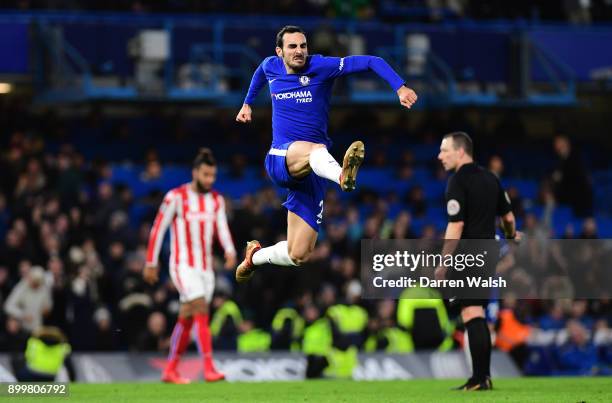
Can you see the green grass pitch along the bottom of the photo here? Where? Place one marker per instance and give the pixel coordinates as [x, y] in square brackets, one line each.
[557, 390]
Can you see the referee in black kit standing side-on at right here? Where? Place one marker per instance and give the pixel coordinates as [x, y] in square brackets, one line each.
[474, 199]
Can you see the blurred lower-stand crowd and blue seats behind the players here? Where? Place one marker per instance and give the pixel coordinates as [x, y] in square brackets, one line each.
[75, 219]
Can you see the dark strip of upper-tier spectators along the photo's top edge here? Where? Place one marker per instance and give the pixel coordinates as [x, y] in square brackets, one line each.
[574, 11]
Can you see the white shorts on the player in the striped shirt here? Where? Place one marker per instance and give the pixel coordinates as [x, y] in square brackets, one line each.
[193, 283]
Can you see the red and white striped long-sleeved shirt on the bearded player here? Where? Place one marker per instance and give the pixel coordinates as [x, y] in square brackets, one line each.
[195, 219]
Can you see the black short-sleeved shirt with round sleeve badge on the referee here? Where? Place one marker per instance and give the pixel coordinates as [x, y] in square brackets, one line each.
[475, 196]
